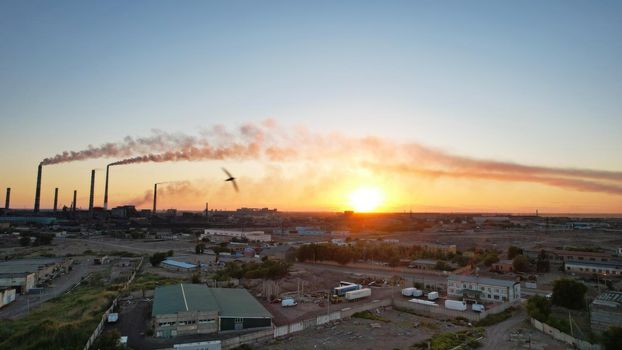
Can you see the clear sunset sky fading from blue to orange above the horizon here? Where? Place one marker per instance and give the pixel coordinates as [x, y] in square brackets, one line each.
[532, 83]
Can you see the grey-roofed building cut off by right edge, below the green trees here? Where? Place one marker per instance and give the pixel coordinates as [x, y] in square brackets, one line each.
[606, 311]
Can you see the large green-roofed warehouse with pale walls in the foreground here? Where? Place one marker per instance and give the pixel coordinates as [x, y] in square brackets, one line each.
[196, 309]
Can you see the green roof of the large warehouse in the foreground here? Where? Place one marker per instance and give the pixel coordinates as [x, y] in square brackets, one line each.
[229, 302]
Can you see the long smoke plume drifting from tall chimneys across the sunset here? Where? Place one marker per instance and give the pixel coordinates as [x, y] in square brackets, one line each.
[269, 142]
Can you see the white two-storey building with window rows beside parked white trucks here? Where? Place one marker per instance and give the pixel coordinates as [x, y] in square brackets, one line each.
[482, 288]
